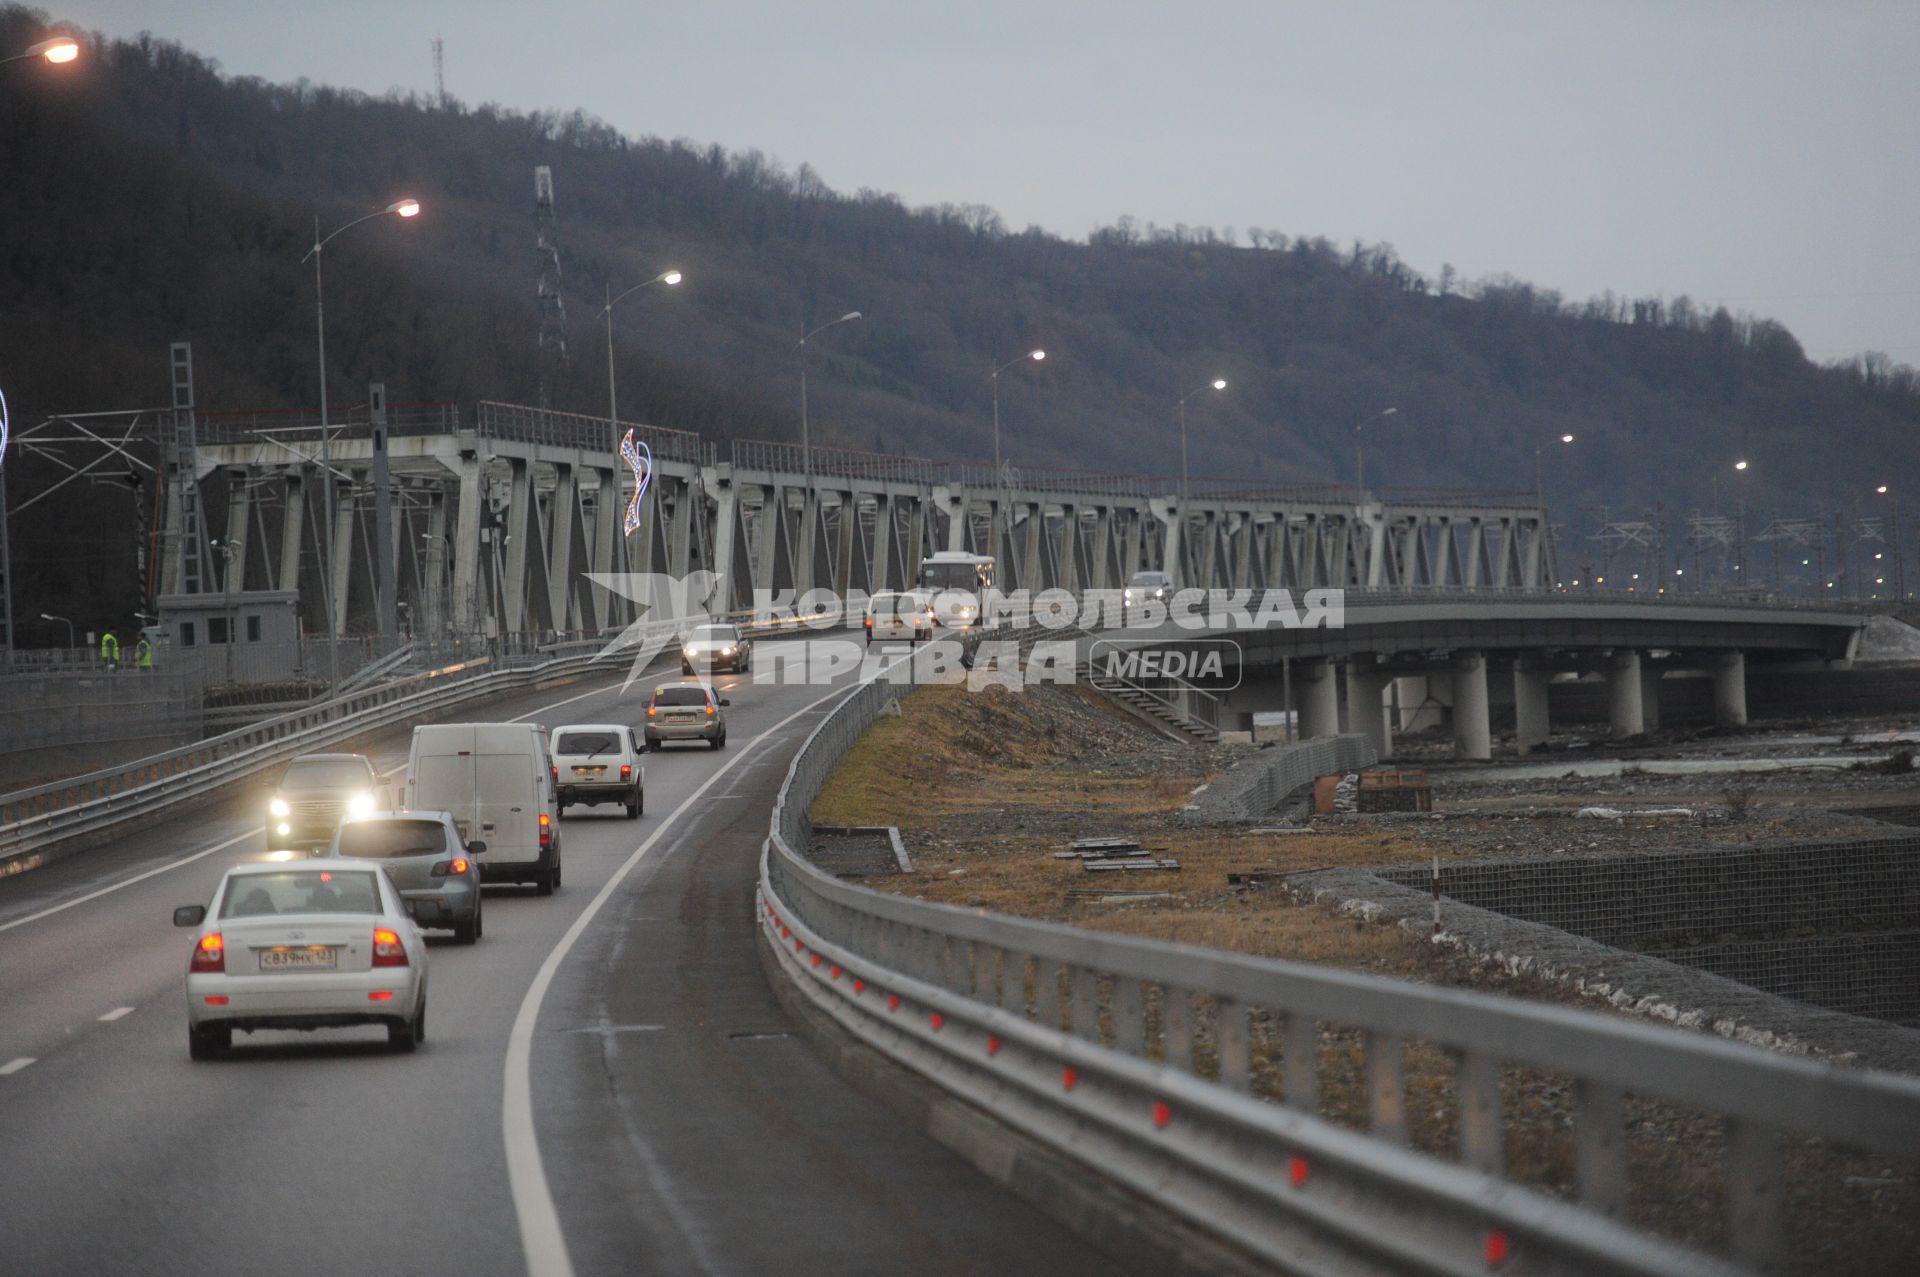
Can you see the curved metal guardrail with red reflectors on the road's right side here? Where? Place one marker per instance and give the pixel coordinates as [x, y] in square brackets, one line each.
[1093, 1044]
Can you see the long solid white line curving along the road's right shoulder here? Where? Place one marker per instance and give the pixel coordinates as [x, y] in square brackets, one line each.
[527, 1178]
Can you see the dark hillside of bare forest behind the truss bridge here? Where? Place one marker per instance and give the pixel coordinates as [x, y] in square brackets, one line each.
[145, 199]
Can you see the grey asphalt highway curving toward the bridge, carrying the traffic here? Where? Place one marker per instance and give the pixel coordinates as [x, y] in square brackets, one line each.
[608, 1082]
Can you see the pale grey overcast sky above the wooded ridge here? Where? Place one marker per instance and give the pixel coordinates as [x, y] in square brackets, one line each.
[1742, 153]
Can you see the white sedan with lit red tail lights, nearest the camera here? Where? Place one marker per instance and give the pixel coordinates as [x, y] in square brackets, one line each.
[310, 946]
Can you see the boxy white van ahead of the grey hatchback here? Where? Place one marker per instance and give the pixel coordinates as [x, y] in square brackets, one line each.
[496, 781]
